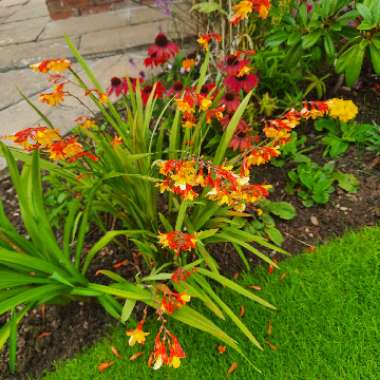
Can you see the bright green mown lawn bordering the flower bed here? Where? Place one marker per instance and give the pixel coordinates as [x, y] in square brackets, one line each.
[327, 325]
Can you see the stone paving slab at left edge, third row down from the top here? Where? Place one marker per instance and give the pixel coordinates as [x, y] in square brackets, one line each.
[22, 55]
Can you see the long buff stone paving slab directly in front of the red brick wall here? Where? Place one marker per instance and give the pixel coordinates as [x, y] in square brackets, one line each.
[100, 22]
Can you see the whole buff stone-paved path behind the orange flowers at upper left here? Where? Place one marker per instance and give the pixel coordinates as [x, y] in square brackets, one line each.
[113, 42]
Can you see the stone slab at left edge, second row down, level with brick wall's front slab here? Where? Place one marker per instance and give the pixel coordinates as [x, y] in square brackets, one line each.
[22, 31]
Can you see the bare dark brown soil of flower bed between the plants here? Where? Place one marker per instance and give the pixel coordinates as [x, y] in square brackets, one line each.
[57, 332]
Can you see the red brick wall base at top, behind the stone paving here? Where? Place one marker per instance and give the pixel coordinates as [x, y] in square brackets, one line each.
[59, 9]
